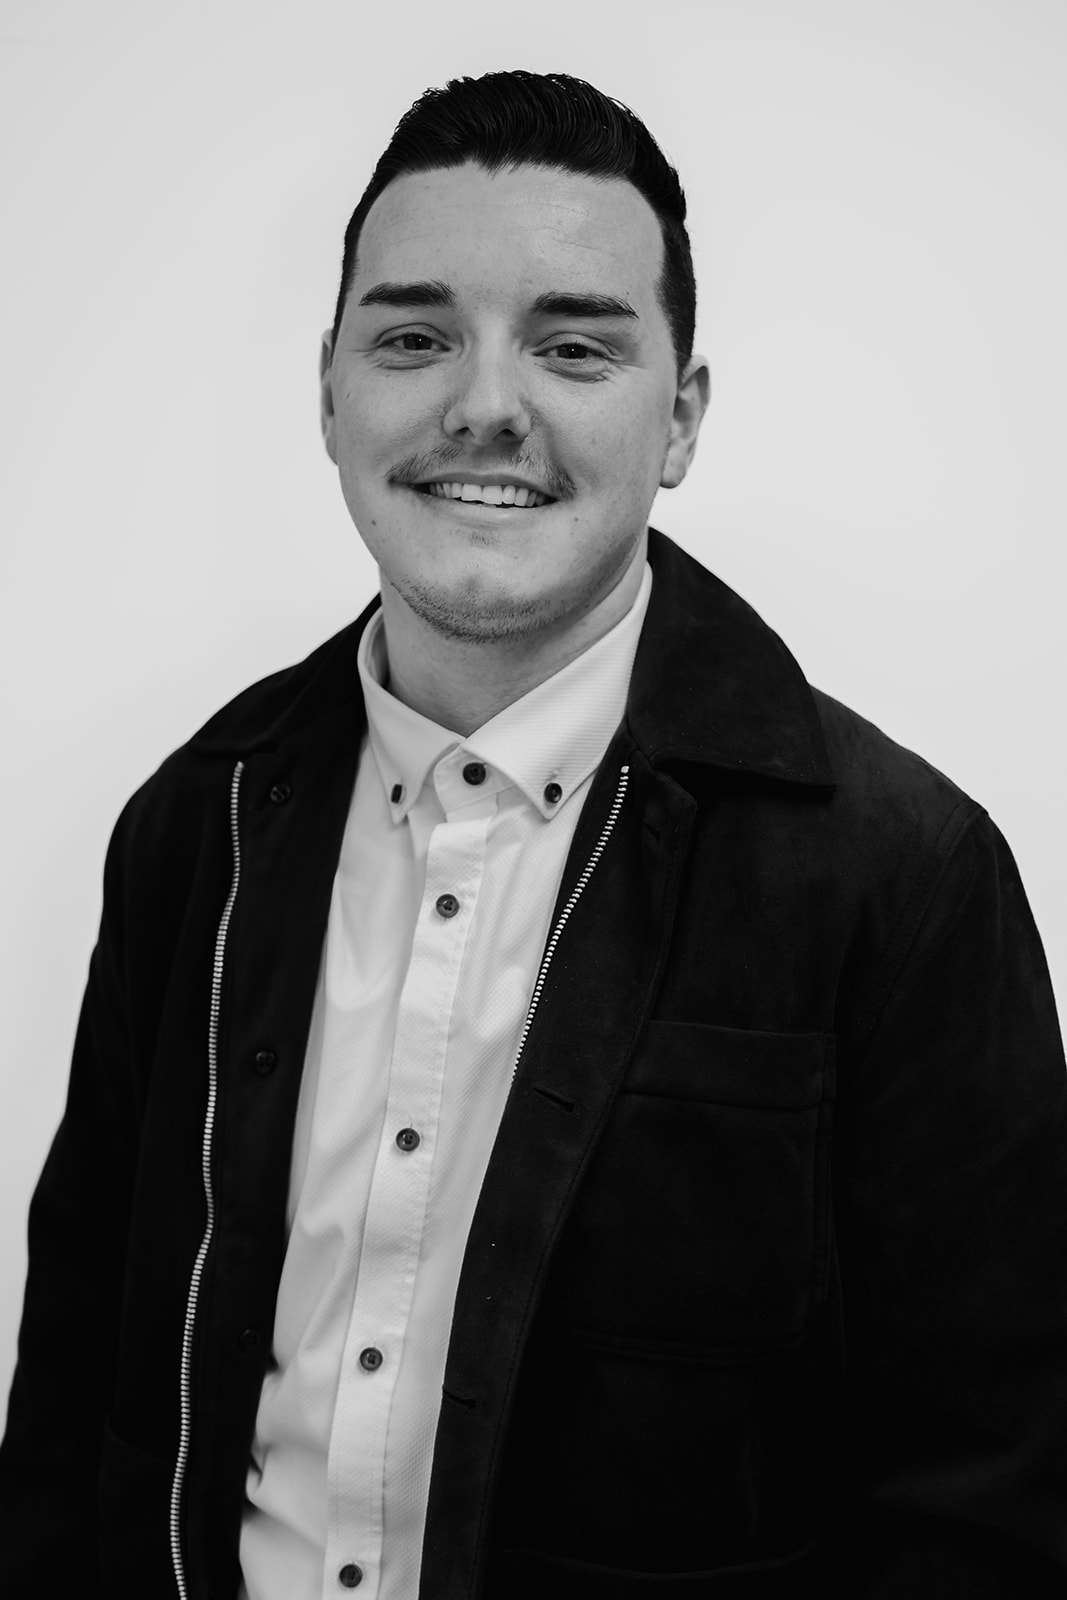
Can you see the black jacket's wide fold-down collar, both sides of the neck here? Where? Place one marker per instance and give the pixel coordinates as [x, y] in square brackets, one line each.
[713, 686]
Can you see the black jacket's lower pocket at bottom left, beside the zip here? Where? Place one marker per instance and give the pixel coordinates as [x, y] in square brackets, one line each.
[134, 1498]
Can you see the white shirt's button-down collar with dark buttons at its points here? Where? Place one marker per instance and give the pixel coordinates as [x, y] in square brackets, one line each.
[546, 743]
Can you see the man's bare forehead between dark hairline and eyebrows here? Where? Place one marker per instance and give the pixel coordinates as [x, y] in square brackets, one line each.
[514, 233]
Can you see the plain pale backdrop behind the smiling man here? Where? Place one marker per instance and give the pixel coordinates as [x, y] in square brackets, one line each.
[881, 236]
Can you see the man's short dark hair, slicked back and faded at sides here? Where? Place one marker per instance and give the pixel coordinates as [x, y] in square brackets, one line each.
[510, 119]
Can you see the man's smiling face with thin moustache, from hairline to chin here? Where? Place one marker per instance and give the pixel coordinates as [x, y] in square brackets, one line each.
[503, 399]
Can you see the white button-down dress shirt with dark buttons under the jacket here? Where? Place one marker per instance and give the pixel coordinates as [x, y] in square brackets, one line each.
[449, 874]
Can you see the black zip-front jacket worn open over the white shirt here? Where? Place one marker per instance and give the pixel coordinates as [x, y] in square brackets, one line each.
[769, 1274]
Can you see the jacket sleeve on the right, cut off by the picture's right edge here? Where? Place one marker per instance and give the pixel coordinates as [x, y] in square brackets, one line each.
[953, 1217]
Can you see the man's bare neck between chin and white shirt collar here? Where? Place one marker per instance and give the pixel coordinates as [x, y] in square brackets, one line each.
[462, 684]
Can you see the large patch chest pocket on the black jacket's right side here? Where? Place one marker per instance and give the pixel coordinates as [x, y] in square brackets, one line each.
[700, 1230]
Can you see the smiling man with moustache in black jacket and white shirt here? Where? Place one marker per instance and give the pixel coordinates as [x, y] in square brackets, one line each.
[561, 1105]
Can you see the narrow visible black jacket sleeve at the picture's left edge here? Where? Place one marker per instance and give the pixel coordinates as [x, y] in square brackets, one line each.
[68, 1337]
